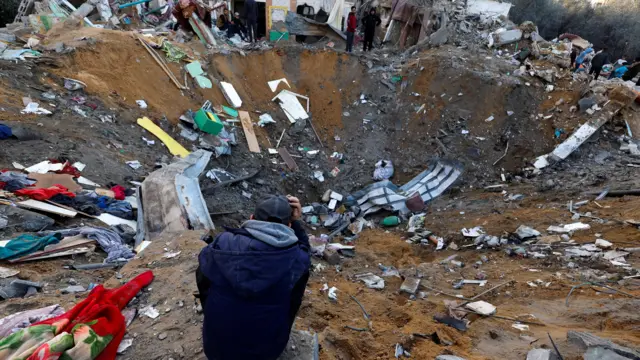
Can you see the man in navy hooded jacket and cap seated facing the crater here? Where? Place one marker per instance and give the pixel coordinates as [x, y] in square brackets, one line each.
[251, 282]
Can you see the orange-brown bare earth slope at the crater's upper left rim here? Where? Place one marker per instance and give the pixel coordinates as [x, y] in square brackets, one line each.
[116, 67]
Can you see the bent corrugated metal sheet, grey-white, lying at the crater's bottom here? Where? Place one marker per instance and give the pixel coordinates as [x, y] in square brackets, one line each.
[430, 184]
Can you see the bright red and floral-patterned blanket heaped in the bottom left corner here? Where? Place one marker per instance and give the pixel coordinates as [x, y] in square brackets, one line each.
[91, 330]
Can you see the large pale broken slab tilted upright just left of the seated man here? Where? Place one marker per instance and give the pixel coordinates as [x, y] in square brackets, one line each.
[171, 197]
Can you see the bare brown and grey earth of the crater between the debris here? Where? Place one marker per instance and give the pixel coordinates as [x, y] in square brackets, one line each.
[118, 71]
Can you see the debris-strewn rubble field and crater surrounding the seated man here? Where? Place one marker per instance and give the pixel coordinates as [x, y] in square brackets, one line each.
[430, 173]
